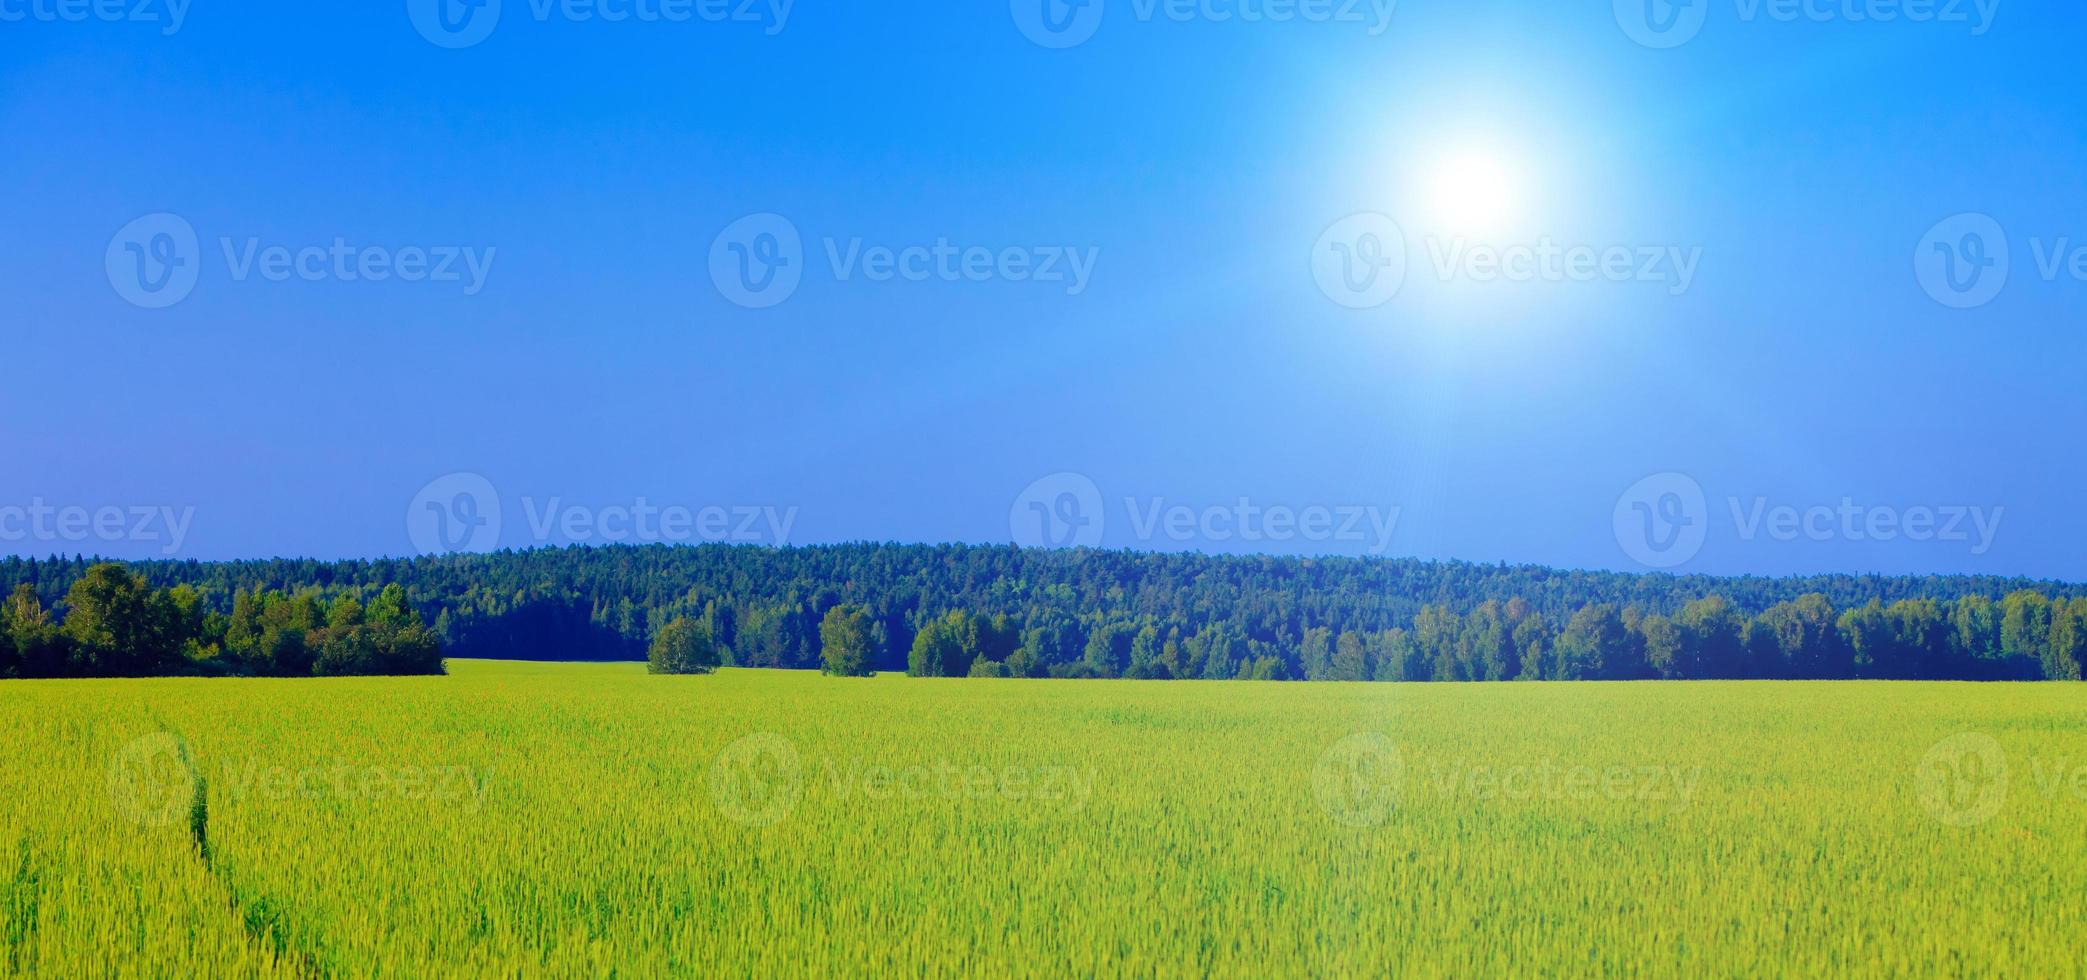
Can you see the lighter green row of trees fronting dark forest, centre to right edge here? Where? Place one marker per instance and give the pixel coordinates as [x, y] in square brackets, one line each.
[2023, 637]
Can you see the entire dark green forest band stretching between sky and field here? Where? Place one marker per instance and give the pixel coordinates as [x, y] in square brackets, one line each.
[955, 610]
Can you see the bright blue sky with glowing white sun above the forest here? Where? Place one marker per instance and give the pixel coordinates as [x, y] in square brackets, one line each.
[1794, 162]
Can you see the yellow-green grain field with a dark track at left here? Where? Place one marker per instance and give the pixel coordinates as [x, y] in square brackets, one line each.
[581, 820]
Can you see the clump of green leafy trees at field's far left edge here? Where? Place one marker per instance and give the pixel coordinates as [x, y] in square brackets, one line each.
[114, 624]
